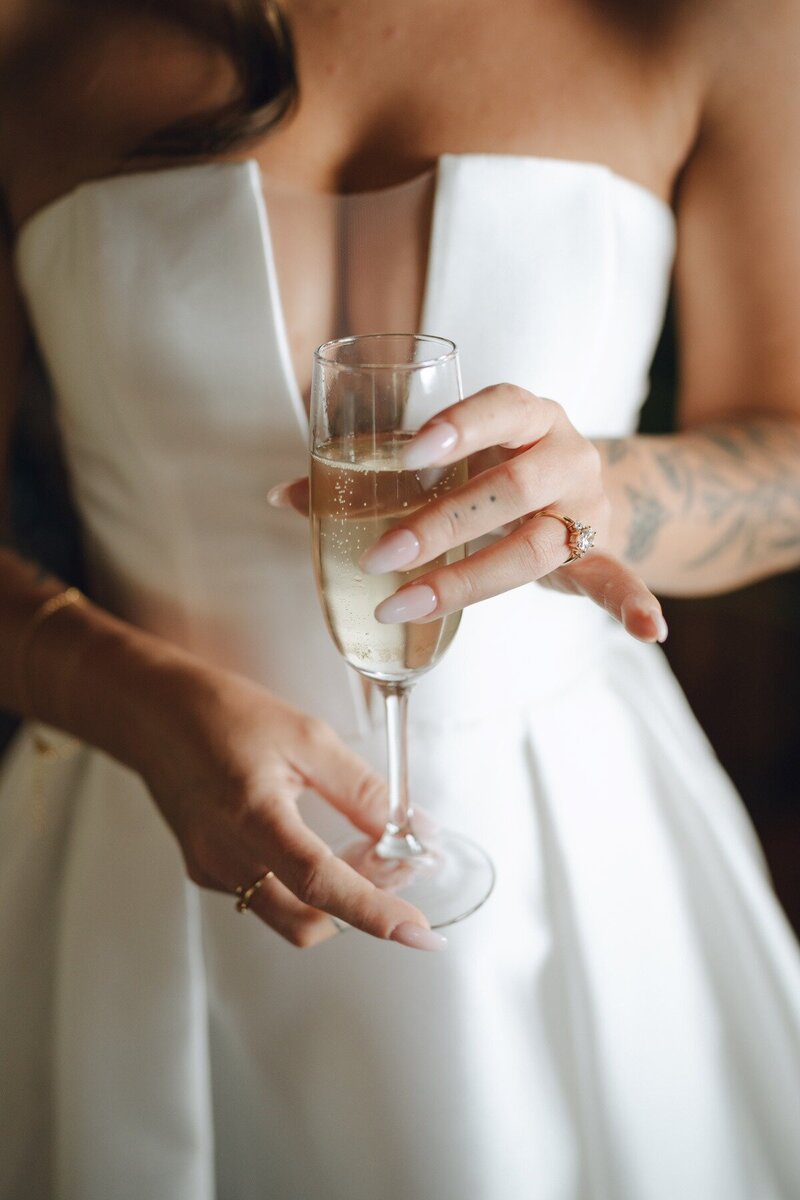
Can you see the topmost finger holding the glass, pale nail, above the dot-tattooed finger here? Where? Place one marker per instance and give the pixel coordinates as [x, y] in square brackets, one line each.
[500, 416]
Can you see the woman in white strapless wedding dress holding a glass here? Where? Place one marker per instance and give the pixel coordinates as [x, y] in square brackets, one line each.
[623, 1019]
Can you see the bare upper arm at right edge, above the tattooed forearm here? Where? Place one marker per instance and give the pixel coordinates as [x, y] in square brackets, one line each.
[739, 249]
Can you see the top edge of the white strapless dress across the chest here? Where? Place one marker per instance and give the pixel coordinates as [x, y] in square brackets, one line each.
[275, 182]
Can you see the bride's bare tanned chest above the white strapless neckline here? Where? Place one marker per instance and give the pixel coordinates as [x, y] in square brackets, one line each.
[386, 89]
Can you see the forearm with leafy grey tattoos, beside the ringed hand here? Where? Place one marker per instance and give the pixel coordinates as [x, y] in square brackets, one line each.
[709, 509]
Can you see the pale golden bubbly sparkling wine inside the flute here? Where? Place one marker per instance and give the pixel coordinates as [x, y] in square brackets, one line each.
[359, 490]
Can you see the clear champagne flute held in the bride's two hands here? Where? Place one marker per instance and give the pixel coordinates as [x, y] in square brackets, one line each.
[370, 395]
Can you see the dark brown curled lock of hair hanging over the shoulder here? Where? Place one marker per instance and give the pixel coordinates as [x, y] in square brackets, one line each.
[256, 34]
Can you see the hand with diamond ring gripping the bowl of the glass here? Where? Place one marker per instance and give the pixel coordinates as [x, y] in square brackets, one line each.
[527, 463]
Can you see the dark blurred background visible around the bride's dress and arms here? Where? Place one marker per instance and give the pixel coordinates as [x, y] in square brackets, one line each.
[737, 657]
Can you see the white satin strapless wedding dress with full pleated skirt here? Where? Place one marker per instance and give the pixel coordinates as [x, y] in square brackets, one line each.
[622, 1019]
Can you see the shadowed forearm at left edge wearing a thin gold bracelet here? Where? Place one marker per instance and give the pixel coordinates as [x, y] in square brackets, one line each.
[82, 670]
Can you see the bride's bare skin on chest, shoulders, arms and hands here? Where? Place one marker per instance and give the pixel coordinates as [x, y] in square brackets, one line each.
[697, 104]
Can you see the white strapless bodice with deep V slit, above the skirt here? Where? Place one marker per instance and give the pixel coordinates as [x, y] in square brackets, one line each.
[157, 303]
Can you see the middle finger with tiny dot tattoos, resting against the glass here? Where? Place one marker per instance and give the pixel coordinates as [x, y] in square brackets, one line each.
[524, 484]
